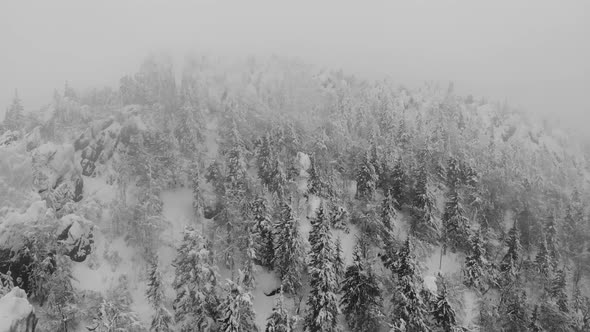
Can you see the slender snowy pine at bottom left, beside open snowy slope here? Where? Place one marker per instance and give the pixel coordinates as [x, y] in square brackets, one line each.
[162, 319]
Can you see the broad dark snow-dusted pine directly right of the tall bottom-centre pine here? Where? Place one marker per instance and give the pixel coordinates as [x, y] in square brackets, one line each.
[361, 296]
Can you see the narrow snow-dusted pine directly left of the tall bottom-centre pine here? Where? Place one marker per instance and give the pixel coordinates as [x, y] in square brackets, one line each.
[288, 257]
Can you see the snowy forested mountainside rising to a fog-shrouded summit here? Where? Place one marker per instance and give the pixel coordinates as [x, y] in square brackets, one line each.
[366, 206]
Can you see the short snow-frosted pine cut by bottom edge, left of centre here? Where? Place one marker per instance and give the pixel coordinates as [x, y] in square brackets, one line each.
[237, 312]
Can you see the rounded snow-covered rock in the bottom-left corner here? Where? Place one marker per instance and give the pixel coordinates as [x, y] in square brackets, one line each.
[16, 313]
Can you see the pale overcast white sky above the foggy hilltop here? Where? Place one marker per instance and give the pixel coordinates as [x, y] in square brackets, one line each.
[535, 54]
